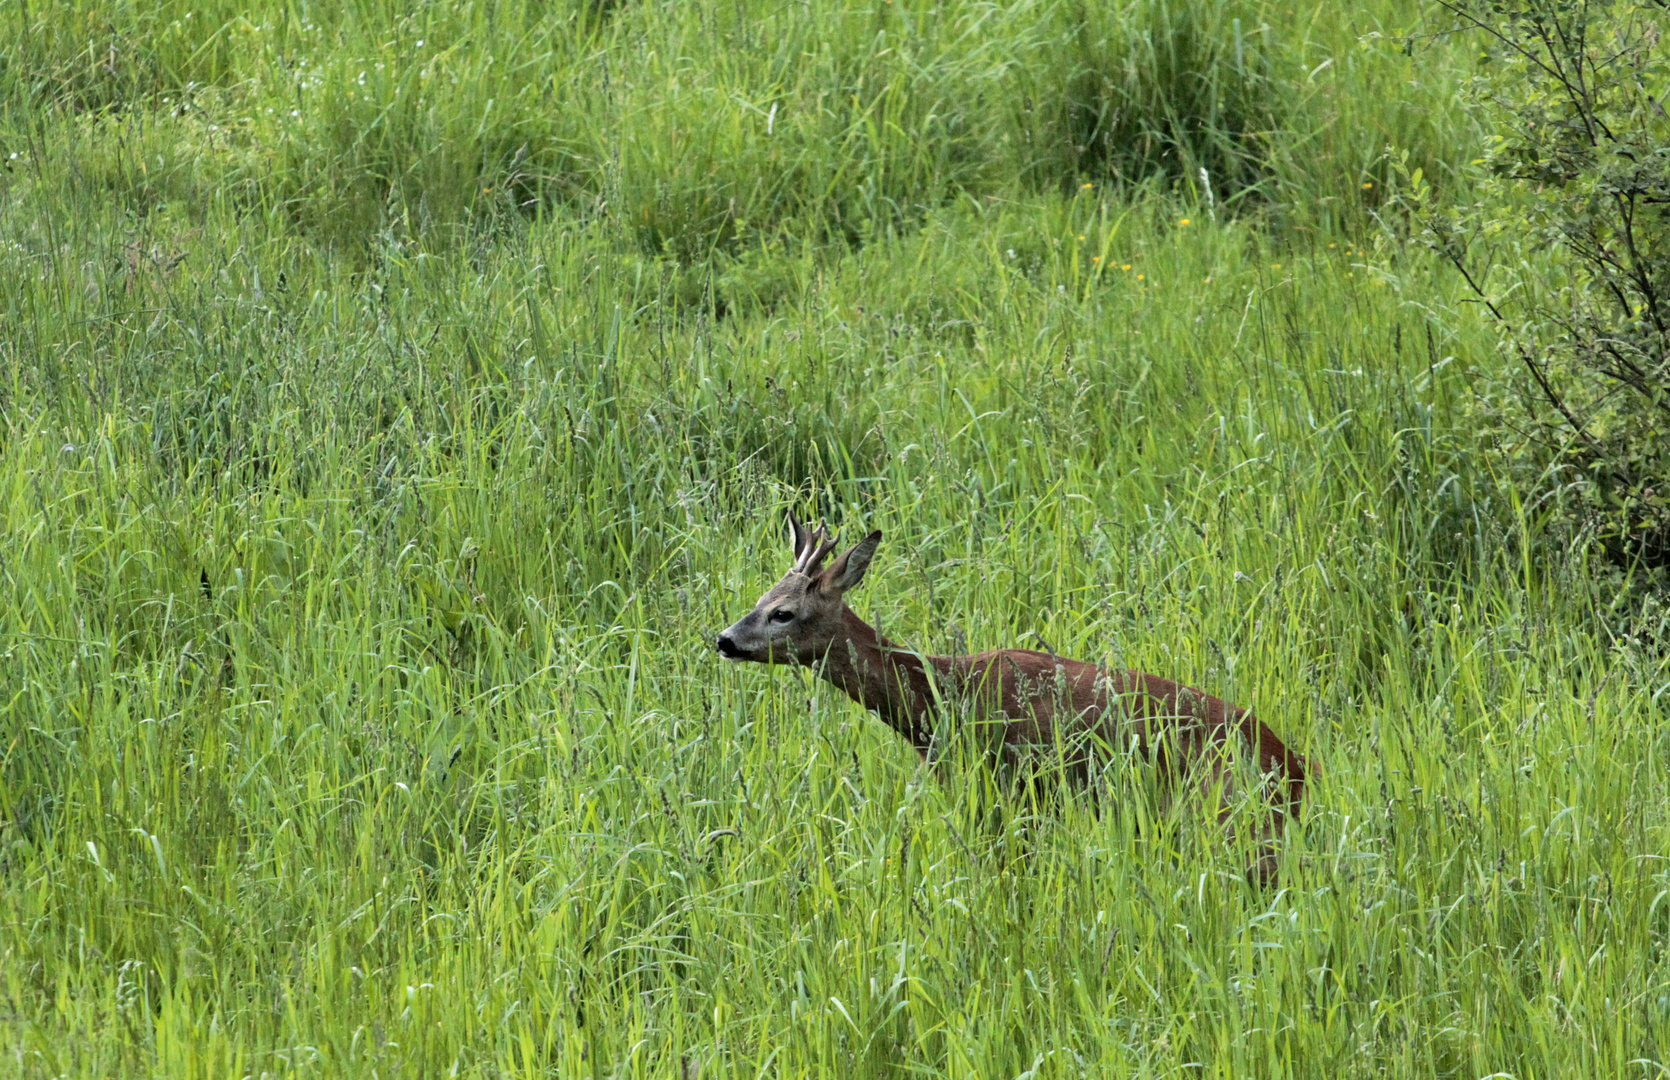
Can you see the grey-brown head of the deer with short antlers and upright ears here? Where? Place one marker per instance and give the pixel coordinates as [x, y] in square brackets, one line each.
[801, 617]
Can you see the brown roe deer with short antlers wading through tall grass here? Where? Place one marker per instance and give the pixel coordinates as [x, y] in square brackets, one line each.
[1080, 709]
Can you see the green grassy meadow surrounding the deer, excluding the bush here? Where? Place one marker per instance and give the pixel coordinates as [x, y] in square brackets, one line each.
[400, 396]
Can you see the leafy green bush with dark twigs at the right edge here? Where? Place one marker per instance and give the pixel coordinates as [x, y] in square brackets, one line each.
[1571, 253]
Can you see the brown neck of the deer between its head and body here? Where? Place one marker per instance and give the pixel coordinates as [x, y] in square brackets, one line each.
[888, 679]
